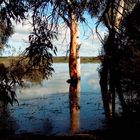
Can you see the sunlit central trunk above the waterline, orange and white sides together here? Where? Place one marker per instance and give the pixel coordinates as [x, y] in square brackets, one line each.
[74, 55]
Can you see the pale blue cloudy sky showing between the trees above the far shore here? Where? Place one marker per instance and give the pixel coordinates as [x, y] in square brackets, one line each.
[90, 44]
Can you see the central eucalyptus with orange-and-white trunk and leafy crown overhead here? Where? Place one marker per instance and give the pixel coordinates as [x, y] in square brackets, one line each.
[71, 12]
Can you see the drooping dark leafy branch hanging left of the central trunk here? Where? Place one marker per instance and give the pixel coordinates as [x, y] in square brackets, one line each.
[40, 50]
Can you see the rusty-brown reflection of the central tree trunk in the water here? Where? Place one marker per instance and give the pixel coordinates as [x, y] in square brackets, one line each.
[74, 102]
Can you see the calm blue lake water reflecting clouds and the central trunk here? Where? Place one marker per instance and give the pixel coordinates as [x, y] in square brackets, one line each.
[45, 107]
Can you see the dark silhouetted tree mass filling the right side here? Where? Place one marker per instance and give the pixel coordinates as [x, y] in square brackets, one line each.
[118, 67]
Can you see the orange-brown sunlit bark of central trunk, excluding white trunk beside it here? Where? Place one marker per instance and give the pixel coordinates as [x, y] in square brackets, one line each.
[73, 46]
